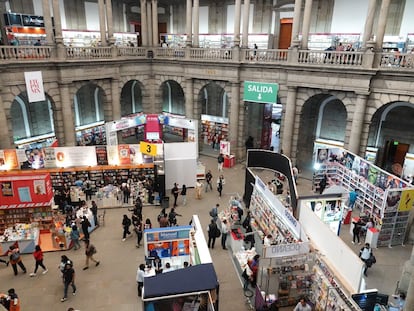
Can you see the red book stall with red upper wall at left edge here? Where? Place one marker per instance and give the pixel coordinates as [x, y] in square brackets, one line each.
[25, 210]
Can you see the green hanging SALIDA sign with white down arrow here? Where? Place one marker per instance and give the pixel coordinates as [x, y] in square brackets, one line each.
[260, 92]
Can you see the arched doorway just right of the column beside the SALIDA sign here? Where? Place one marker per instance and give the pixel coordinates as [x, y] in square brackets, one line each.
[323, 121]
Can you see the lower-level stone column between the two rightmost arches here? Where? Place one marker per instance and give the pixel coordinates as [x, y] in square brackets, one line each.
[357, 123]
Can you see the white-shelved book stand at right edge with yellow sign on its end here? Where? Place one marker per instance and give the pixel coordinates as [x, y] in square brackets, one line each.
[381, 196]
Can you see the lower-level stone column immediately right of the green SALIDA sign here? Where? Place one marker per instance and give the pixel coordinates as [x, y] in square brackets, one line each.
[289, 121]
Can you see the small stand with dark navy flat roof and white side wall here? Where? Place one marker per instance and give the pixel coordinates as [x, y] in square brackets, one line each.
[192, 288]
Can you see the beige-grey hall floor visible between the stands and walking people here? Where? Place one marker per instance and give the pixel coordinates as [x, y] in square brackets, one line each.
[112, 285]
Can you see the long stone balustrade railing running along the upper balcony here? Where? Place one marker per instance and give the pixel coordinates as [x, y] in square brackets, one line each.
[350, 59]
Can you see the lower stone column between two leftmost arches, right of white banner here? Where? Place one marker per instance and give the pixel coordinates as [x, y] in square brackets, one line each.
[67, 115]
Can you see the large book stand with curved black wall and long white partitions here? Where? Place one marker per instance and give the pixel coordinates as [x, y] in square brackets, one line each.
[291, 266]
